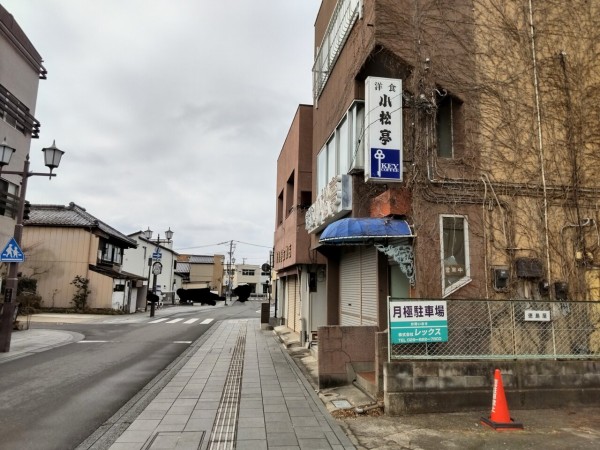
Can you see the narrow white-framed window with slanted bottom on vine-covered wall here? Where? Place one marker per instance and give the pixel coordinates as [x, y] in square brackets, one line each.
[454, 241]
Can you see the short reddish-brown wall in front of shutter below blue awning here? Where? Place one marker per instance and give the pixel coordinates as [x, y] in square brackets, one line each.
[343, 350]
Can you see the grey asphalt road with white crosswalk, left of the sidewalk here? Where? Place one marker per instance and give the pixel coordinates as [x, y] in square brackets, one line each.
[57, 398]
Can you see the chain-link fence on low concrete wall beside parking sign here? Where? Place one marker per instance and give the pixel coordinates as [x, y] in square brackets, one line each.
[513, 329]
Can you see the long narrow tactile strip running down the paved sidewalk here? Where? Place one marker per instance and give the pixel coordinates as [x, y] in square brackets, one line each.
[224, 430]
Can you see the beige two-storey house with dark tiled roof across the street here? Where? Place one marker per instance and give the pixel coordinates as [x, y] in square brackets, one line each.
[62, 242]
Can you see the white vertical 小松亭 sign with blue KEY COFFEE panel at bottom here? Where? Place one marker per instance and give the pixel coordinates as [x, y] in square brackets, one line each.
[383, 122]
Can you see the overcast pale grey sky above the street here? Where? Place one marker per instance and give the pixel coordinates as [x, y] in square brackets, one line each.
[171, 112]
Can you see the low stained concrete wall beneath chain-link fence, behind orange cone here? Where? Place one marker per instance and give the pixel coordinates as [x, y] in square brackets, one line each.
[448, 386]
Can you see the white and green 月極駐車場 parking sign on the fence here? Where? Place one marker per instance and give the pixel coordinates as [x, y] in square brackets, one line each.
[415, 322]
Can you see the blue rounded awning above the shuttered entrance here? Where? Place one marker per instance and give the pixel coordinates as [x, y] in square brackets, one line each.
[359, 230]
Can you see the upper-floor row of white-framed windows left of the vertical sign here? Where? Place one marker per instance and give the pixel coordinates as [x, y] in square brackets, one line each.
[343, 151]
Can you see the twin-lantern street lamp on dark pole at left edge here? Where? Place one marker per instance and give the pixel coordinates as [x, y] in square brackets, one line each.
[52, 156]
